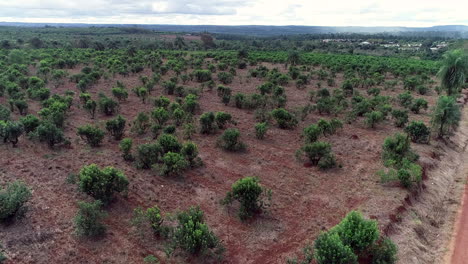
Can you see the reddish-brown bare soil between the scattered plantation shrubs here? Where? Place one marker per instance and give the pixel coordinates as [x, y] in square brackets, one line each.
[305, 200]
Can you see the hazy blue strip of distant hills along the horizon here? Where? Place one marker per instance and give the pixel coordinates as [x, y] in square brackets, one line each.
[258, 30]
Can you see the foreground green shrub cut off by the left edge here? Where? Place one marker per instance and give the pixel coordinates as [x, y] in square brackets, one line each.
[12, 200]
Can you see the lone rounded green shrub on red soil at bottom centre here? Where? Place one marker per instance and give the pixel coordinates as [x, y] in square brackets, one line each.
[247, 192]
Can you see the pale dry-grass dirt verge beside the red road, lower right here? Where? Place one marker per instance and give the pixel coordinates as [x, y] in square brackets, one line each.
[425, 230]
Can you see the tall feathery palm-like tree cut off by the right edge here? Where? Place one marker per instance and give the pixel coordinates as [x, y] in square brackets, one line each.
[454, 71]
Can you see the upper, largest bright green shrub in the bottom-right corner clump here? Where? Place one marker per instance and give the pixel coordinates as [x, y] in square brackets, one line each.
[357, 232]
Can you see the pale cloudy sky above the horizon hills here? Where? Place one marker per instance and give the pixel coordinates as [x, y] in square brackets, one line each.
[237, 12]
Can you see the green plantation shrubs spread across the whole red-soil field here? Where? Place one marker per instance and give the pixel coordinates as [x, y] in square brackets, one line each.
[29, 78]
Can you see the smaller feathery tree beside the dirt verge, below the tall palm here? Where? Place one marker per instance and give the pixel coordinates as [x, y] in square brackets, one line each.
[446, 115]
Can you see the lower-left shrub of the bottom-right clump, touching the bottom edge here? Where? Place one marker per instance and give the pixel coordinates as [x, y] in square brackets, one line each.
[330, 250]
